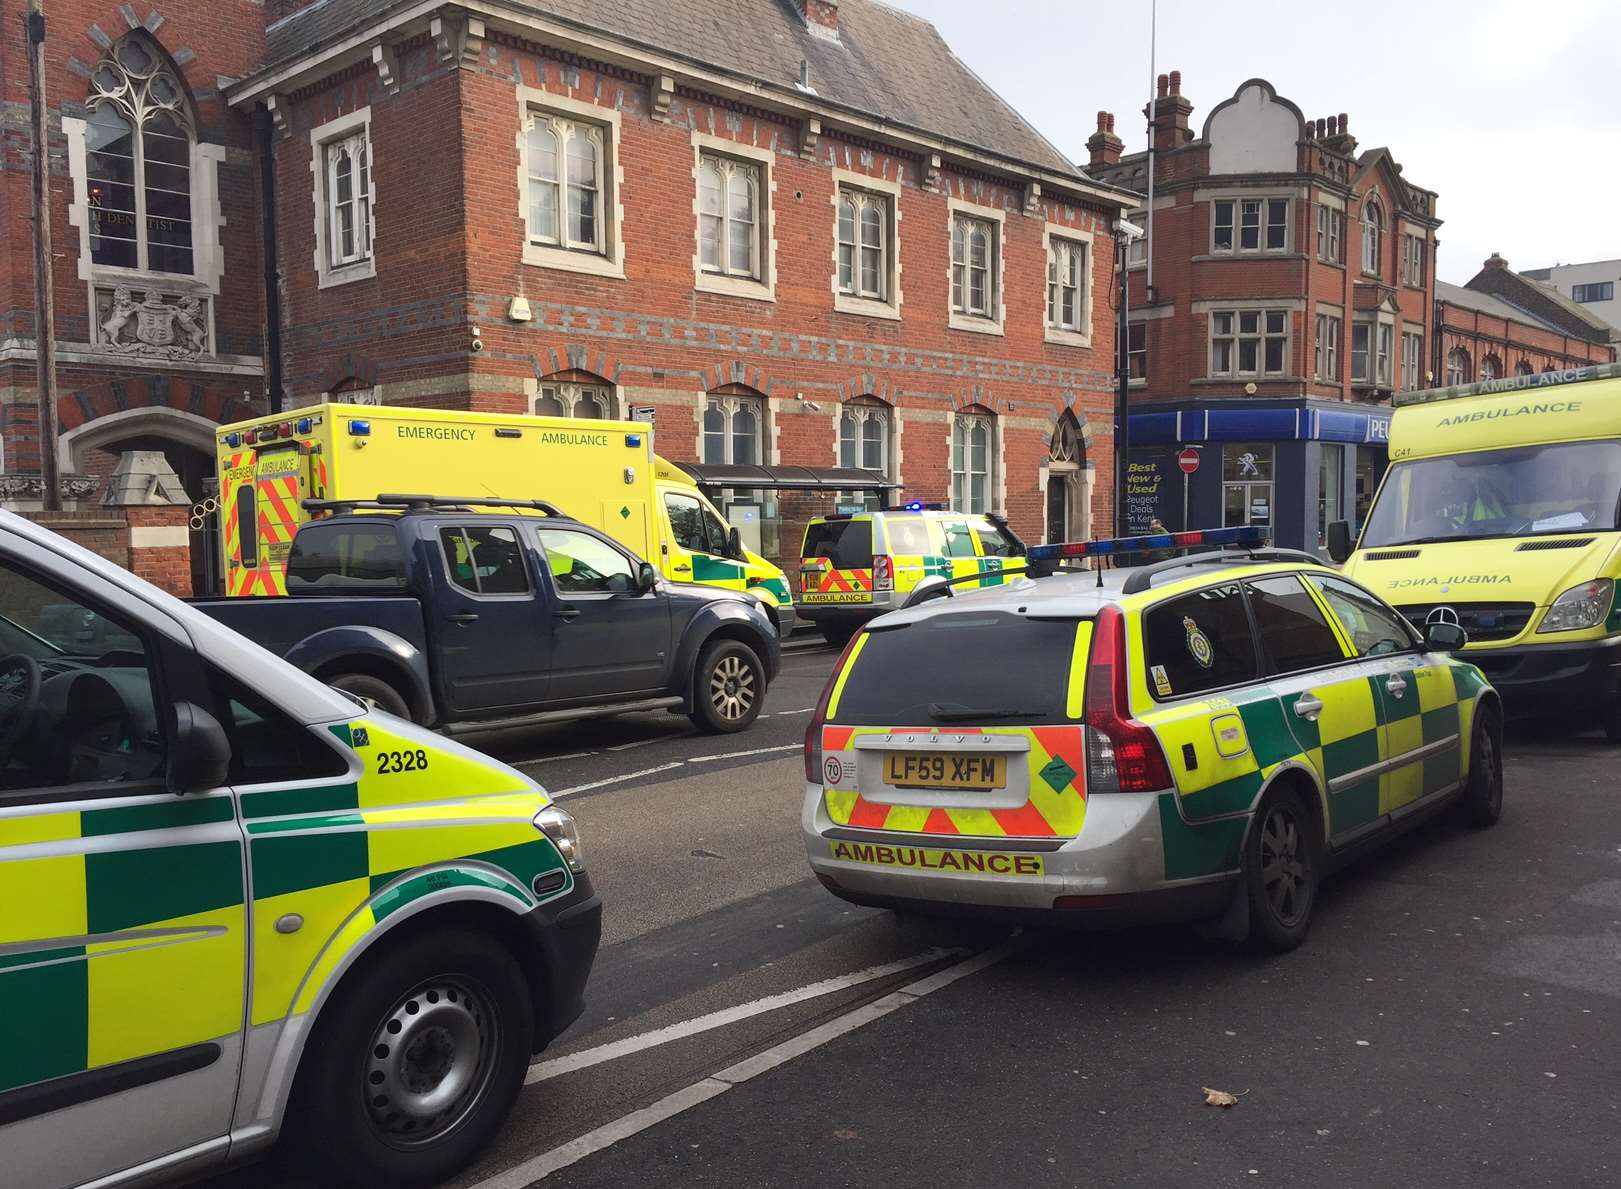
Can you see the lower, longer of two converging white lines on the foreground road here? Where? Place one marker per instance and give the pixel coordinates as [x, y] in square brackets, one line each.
[703, 1091]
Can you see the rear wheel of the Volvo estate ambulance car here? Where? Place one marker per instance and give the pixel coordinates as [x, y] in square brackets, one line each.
[1281, 872]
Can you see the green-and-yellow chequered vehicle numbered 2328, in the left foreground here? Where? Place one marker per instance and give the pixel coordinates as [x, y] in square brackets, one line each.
[237, 904]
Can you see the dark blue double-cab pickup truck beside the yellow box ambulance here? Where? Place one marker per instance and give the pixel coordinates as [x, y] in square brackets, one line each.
[468, 620]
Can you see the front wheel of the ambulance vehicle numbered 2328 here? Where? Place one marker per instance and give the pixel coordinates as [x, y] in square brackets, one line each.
[414, 1067]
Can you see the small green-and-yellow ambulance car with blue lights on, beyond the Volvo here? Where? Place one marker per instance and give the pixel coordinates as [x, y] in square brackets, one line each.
[855, 567]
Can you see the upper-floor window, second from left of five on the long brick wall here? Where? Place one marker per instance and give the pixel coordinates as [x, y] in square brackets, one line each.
[735, 218]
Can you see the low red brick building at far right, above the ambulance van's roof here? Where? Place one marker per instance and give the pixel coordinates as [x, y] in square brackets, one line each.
[1503, 324]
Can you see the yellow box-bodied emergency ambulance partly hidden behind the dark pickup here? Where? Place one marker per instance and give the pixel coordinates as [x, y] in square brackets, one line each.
[599, 473]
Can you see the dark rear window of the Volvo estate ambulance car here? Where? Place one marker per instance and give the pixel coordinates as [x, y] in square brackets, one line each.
[978, 669]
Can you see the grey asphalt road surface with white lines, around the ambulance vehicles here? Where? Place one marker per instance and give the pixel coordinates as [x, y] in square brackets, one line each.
[1453, 1019]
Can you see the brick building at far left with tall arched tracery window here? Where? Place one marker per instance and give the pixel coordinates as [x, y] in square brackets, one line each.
[155, 239]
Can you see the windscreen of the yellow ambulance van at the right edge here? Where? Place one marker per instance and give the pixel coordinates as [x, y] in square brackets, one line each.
[1521, 492]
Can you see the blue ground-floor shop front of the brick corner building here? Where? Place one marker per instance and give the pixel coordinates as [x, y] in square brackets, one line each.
[1293, 466]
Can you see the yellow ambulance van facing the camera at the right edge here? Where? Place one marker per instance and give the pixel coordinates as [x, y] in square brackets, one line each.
[1502, 513]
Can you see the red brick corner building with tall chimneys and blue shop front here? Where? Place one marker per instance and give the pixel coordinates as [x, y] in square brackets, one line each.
[1285, 294]
